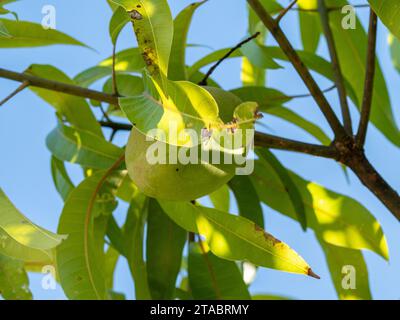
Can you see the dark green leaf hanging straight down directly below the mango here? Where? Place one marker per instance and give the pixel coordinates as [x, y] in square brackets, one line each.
[164, 245]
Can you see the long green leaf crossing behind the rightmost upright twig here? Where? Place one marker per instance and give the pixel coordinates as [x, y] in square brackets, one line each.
[351, 45]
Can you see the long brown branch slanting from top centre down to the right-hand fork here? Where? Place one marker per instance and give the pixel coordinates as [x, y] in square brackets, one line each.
[301, 69]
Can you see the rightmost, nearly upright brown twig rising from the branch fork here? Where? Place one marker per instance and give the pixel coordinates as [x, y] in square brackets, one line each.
[369, 81]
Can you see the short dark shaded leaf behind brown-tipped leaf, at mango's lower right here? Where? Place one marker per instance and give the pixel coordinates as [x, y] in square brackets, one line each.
[247, 199]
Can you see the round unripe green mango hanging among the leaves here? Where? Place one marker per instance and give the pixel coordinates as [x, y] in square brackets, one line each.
[175, 182]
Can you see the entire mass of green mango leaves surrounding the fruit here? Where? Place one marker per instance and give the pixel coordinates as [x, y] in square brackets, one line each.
[153, 238]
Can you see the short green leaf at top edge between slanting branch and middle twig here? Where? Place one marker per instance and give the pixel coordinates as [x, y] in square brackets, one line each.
[310, 25]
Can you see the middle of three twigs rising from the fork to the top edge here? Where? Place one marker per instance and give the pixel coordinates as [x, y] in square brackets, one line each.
[336, 67]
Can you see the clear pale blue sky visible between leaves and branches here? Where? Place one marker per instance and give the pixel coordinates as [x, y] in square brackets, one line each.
[26, 120]
